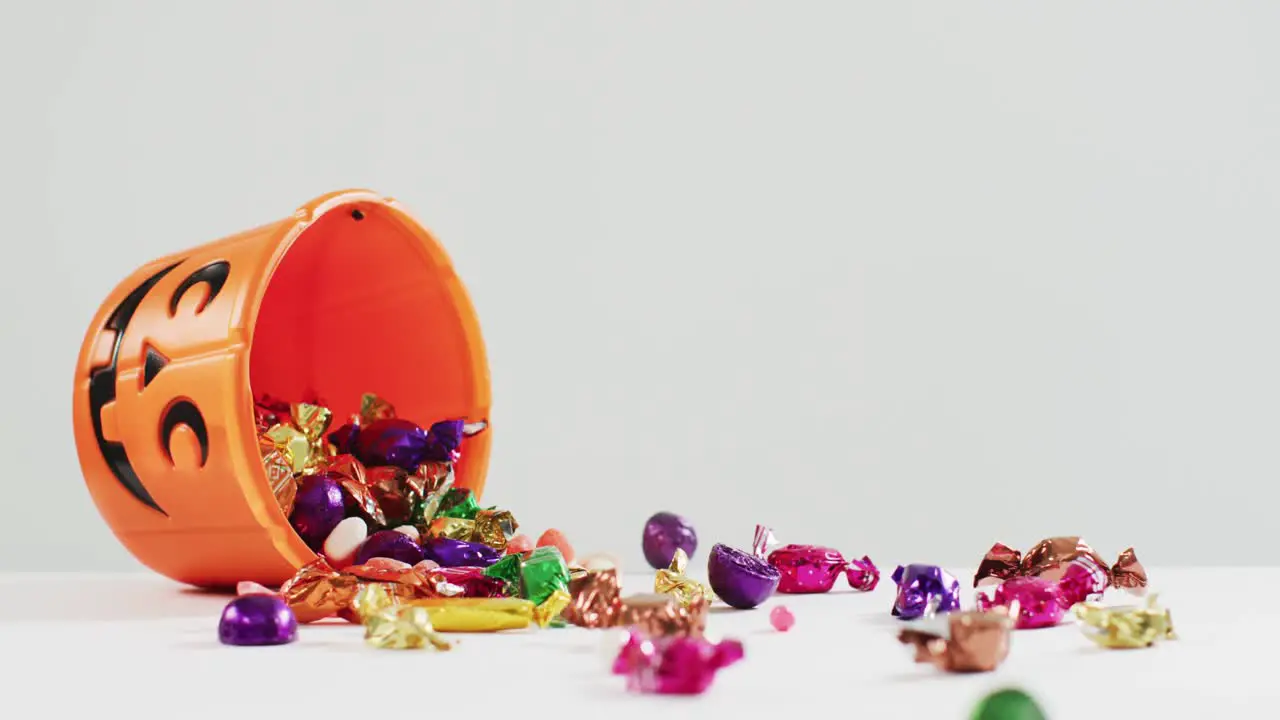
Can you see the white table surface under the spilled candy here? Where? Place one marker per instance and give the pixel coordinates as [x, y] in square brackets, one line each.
[93, 644]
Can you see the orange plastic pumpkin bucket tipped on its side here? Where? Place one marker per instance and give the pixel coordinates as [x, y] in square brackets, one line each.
[346, 297]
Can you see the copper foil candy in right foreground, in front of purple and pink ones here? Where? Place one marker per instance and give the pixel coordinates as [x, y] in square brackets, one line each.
[961, 642]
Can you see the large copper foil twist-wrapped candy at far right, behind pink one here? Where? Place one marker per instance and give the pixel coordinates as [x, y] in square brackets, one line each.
[1071, 562]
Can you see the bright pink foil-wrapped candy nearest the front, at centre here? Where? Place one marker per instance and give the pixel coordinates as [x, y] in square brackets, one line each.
[679, 666]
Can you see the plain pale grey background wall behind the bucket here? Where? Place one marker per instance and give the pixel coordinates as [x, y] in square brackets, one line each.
[906, 279]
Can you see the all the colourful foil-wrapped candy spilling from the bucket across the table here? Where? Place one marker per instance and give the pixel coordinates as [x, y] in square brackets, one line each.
[412, 558]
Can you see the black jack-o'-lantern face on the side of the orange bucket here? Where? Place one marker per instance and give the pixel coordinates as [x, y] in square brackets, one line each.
[147, 357]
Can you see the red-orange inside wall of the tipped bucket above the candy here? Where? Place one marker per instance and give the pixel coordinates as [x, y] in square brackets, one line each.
[362, 304]
